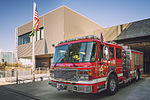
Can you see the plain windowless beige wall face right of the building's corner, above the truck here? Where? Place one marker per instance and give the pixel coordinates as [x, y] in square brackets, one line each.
[77, 25]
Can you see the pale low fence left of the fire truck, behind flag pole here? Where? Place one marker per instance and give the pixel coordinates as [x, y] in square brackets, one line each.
[24, 75]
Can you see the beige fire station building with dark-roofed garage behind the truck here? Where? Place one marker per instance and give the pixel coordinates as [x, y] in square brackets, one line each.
[64, 23]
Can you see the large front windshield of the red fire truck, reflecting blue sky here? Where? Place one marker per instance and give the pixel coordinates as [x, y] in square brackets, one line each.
[76, 52]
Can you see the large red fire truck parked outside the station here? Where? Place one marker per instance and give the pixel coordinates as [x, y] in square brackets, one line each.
[90, 65]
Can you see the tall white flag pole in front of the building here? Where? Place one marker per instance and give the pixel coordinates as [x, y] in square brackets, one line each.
[33, 40]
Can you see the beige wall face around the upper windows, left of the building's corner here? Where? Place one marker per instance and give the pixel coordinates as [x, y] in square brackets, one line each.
[53, 24]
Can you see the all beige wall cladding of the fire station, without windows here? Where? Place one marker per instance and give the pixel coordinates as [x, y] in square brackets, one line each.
[61, 24]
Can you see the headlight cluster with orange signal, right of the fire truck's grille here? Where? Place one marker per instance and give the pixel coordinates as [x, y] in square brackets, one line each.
[85, 75]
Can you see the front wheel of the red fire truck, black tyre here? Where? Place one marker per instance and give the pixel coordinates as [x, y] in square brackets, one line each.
[112, 85]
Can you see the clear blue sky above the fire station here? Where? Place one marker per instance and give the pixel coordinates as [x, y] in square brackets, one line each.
[106, 13]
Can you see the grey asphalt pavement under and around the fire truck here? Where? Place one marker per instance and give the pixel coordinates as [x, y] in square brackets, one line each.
[42, 91]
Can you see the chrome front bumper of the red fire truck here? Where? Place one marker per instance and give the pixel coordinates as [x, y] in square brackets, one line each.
[72, 87]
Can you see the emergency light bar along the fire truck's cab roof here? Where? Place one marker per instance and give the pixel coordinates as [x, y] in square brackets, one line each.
[81, 38]
